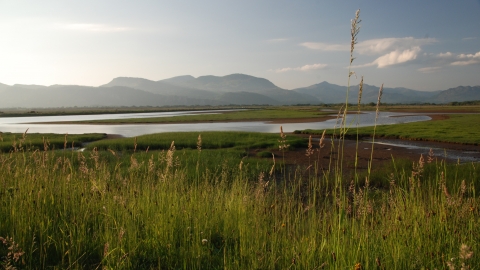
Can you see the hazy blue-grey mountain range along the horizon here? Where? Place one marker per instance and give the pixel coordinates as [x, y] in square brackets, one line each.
[234, 89]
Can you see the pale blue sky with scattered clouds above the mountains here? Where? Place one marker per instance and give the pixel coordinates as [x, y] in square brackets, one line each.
[423, 45]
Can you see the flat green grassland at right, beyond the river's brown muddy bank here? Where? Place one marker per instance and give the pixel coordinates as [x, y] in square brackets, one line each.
[459, 128]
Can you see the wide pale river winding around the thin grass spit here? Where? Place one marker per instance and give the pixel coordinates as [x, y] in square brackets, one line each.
[37, 124]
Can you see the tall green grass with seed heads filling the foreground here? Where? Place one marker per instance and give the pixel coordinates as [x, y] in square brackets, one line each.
[198, 208]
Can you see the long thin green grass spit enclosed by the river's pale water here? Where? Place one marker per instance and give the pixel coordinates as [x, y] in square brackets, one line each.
[247, 115]
